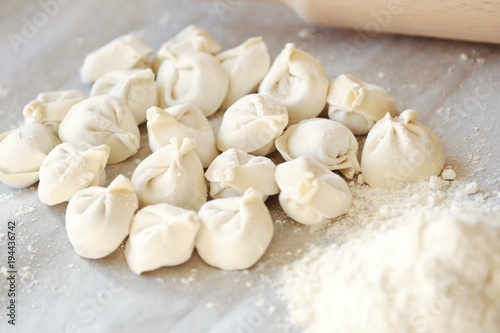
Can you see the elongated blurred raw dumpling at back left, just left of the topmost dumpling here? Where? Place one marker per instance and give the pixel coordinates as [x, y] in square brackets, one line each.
[124, 52]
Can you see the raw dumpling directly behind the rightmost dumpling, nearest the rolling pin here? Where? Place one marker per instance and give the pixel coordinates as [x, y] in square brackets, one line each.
[357, 104]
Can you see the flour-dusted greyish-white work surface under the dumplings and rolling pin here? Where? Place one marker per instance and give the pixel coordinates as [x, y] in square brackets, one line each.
[454, 85]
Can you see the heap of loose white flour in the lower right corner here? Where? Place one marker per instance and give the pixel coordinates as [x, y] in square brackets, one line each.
[421, 260]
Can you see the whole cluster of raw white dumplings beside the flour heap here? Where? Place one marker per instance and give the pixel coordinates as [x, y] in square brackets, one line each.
[68, 139]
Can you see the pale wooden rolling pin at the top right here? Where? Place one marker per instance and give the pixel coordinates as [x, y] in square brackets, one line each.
[471, 20]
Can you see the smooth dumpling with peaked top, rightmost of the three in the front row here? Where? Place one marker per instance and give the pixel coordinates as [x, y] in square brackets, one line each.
[234, 232]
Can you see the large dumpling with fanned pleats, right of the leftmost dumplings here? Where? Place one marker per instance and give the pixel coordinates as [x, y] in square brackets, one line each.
[102, 120]
